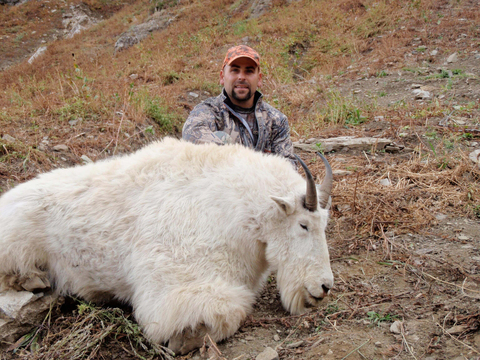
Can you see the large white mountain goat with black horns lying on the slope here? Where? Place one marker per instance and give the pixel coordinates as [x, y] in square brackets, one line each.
[187, 234]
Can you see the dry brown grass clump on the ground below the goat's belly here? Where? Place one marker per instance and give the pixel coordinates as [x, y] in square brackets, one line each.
[85, 334]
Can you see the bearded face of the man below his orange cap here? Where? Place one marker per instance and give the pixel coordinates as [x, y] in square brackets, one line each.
[241, 79]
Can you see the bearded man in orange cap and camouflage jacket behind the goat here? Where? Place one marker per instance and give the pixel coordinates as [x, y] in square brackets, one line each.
[239, 114]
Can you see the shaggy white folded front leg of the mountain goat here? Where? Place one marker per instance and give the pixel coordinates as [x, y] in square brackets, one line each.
[184, 315]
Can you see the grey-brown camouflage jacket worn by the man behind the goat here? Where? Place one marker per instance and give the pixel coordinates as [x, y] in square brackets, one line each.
[217, 114]
